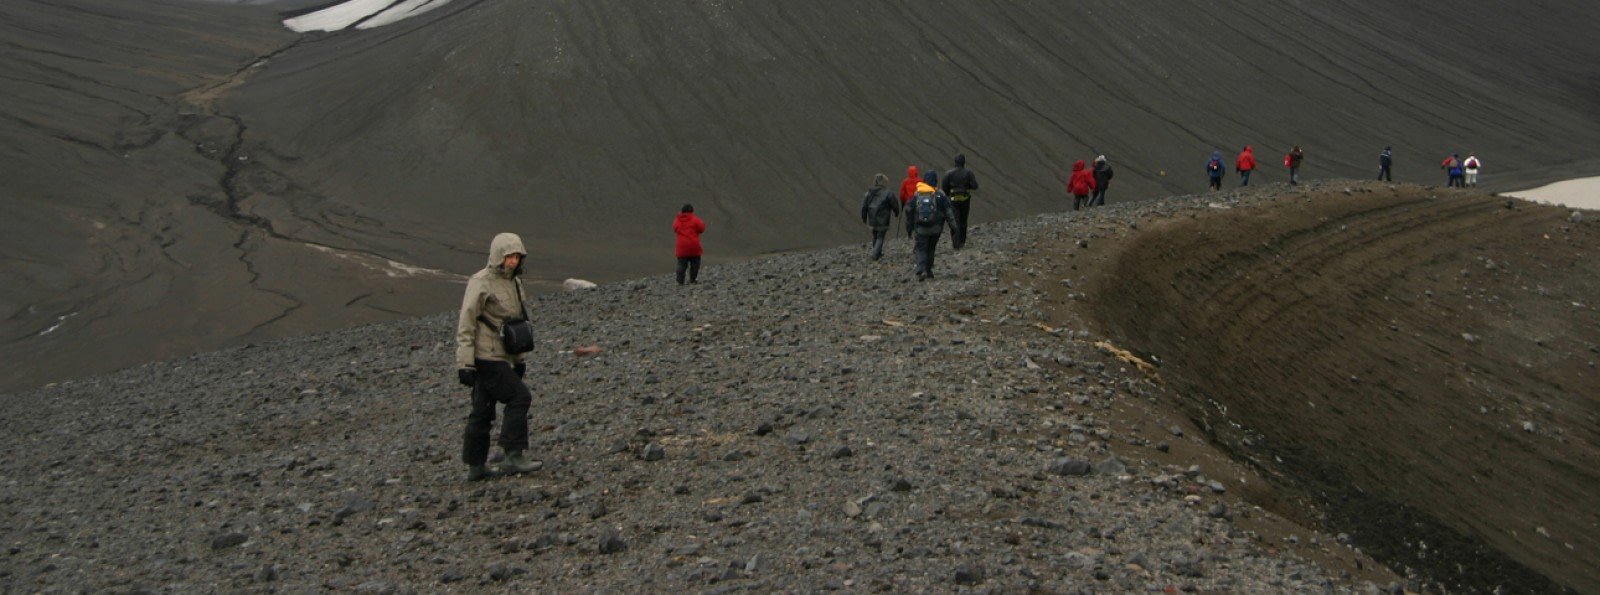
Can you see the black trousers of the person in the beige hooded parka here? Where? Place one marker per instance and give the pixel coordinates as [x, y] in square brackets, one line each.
[497, 385]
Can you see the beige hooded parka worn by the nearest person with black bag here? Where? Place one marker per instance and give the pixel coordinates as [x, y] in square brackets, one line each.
[492, 294]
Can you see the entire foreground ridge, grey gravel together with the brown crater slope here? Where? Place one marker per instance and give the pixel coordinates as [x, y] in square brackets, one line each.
[818, 421]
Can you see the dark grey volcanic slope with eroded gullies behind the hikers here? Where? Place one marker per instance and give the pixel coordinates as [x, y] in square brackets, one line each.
[190, 175]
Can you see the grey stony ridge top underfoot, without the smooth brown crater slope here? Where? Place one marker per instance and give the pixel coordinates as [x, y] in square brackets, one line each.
[802, 423]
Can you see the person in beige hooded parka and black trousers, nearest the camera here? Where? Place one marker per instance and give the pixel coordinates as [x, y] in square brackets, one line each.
[490, 367]
